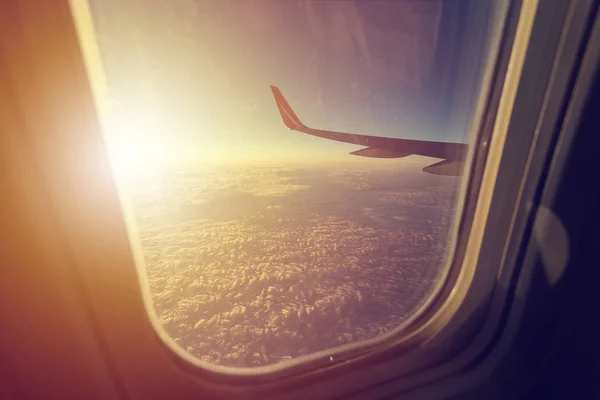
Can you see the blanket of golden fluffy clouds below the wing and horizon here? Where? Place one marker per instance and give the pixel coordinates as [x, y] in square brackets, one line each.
[289, 275]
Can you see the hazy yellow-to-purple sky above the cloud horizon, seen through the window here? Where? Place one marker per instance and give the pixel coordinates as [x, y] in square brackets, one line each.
[189, 79]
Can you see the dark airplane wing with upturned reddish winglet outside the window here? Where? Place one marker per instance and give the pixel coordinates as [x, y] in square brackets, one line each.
[453, 154]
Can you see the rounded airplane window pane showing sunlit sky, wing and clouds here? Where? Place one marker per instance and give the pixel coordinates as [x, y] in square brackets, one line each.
[294, 167]
